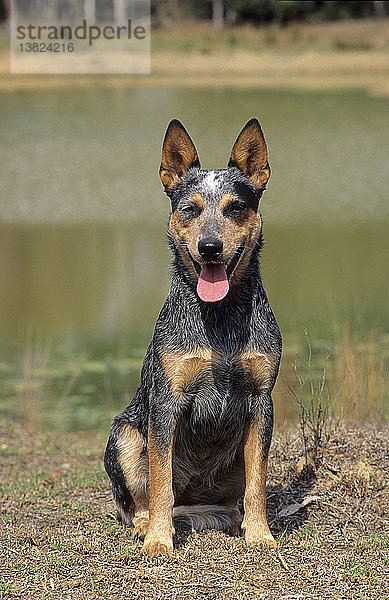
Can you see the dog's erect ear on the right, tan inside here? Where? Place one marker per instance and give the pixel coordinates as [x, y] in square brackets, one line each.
[249, 154]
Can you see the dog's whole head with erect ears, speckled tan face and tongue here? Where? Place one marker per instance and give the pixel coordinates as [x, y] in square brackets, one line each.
[215, 224]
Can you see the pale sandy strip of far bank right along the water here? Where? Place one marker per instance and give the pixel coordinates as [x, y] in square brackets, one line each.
[305, 72]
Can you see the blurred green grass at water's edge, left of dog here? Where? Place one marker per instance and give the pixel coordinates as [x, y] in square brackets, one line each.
[52, 386]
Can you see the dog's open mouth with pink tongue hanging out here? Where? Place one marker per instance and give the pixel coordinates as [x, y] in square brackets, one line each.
[213, 284]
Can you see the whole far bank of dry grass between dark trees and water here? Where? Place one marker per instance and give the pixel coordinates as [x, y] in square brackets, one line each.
[333, 57]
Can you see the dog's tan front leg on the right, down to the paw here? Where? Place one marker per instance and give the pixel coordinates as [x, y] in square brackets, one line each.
[256, 450]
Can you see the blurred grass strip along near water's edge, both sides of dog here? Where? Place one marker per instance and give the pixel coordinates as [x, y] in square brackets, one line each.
[52, 386]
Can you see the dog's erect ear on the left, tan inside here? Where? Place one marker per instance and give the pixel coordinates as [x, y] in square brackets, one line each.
[178, 154]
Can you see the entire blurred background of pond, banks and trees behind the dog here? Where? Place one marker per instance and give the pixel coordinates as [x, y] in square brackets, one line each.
[83, 260]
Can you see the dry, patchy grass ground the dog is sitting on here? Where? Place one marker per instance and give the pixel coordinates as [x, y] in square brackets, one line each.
[60, 539]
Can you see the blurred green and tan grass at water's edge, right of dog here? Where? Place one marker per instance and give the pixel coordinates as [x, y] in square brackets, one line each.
[348, 377]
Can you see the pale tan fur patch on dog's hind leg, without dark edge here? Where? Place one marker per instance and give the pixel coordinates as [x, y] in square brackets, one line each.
[135, 466]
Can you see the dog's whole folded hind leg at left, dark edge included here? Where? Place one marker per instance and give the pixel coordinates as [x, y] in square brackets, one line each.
[126, 462]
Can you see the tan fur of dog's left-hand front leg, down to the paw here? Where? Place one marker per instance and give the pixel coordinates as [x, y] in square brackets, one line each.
[159, 537]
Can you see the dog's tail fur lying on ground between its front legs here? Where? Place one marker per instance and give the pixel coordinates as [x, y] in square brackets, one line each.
[204, 516]
